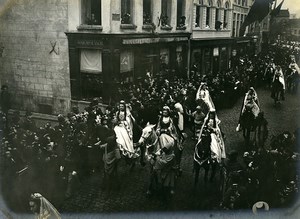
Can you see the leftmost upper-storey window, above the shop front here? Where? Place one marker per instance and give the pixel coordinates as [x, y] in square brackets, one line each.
[91, 12]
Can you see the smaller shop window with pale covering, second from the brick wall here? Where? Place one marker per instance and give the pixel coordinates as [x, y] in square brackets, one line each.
[126, 66]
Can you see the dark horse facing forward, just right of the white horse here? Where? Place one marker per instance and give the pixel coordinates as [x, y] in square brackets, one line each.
[202, 158]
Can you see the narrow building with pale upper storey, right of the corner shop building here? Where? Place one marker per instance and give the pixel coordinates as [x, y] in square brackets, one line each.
[211, 36]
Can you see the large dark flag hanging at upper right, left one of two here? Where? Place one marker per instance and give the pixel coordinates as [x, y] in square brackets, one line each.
[259, 10]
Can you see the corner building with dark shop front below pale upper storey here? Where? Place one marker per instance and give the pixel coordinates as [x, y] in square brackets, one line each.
[117, 41]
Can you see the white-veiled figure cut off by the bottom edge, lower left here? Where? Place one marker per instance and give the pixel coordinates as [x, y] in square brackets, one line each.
[42, 208]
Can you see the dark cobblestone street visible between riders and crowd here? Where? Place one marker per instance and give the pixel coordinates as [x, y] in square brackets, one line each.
[131, 194]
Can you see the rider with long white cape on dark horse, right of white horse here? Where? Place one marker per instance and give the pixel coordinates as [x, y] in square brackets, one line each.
[217, 146]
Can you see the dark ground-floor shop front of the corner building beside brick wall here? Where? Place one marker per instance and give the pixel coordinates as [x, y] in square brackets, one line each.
[100, 63]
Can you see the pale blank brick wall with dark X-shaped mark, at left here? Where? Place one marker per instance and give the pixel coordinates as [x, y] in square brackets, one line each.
[35, 77]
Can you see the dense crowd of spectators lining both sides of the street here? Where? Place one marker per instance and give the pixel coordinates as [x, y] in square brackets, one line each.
[56, 157]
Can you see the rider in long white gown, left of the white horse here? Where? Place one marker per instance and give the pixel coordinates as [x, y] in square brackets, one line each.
[124, 132]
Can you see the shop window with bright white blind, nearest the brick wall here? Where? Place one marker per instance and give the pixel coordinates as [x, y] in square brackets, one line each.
[91, 73]
